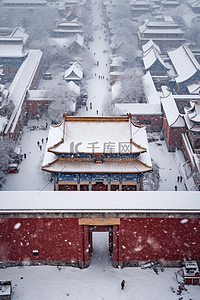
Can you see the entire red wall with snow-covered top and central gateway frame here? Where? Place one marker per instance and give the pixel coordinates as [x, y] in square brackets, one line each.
[56, 228]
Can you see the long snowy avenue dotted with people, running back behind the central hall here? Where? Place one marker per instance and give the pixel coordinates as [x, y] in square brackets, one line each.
[99, 90]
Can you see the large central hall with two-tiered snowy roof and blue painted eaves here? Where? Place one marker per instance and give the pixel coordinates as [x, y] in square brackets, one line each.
[97, 153]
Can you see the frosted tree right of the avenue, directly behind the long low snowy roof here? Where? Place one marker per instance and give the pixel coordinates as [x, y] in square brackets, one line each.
[131, 87]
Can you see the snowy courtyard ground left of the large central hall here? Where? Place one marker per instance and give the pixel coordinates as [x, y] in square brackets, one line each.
[30, 176]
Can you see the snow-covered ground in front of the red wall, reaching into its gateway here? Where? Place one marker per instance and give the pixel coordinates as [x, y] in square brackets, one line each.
[99, 281]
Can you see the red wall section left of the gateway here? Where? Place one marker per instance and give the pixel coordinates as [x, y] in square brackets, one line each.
[56, 239]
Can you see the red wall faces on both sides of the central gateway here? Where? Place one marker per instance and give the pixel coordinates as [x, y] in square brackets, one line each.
[135, 239]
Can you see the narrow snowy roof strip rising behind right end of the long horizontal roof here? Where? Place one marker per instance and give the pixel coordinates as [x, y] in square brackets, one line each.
[152, 95]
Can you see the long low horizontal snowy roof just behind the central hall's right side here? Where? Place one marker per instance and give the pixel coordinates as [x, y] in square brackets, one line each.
[138, 108]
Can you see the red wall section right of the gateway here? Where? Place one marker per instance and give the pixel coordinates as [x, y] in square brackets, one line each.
[159, 238]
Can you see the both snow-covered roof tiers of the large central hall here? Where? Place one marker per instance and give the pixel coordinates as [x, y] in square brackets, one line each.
[97, 135]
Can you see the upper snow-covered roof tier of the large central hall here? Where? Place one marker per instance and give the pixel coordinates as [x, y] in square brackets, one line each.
[89, 130]
